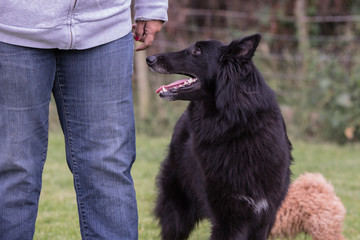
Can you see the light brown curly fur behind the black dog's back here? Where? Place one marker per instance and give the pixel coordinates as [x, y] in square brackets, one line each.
[311, 206]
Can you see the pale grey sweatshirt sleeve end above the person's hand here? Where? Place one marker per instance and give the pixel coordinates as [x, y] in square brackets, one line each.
[151, 10]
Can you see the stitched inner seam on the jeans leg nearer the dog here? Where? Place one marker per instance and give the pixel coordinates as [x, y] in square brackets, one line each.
[71, 155]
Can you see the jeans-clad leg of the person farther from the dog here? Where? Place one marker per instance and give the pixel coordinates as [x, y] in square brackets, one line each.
[26, 80]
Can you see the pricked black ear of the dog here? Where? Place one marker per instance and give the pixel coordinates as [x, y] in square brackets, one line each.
[244, 47]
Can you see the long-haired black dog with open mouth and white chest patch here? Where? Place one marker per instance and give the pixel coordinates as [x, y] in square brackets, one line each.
[229, 156]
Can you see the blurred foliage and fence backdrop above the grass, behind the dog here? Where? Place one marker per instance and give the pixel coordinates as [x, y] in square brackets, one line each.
[309, 55]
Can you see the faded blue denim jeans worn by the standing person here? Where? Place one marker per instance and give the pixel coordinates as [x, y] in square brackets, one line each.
[93, 93]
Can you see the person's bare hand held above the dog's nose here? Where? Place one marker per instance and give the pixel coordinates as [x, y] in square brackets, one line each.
[145, 31]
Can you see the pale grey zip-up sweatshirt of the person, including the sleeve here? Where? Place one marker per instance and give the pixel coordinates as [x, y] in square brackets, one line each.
[72, 24]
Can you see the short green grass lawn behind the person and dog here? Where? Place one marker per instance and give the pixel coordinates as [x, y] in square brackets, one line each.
[57, 218]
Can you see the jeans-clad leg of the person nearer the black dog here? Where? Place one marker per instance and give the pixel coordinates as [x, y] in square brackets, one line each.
[94, 98]
